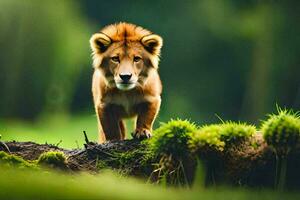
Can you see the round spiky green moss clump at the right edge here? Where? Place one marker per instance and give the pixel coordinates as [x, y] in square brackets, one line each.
[282, 131]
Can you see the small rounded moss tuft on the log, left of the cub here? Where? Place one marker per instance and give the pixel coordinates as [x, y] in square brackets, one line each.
[54, 159]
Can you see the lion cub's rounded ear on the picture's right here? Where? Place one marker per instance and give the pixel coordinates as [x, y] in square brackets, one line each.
[152, 43]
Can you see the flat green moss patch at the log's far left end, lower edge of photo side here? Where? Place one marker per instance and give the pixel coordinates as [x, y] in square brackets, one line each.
[8, 160]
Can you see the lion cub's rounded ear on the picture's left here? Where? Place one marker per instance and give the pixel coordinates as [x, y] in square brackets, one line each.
[100, 42]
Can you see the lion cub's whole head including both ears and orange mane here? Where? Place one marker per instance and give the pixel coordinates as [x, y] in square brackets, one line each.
[126, 54]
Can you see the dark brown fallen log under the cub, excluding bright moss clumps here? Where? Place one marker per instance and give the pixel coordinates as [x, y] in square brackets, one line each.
[248, 162]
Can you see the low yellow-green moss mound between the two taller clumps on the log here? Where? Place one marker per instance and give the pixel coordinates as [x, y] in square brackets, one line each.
[219, 135]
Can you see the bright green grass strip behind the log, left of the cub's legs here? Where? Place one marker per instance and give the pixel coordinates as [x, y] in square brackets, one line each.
[64, 130]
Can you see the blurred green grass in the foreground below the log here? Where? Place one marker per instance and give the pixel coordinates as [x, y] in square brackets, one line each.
[55, 185]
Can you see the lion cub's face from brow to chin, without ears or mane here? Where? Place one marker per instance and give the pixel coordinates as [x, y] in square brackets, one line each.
[125, 66]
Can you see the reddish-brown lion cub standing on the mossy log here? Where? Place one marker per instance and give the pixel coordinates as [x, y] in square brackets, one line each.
[125, 80]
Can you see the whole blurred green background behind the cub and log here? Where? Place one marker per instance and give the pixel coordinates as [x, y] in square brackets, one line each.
[233, 60]
